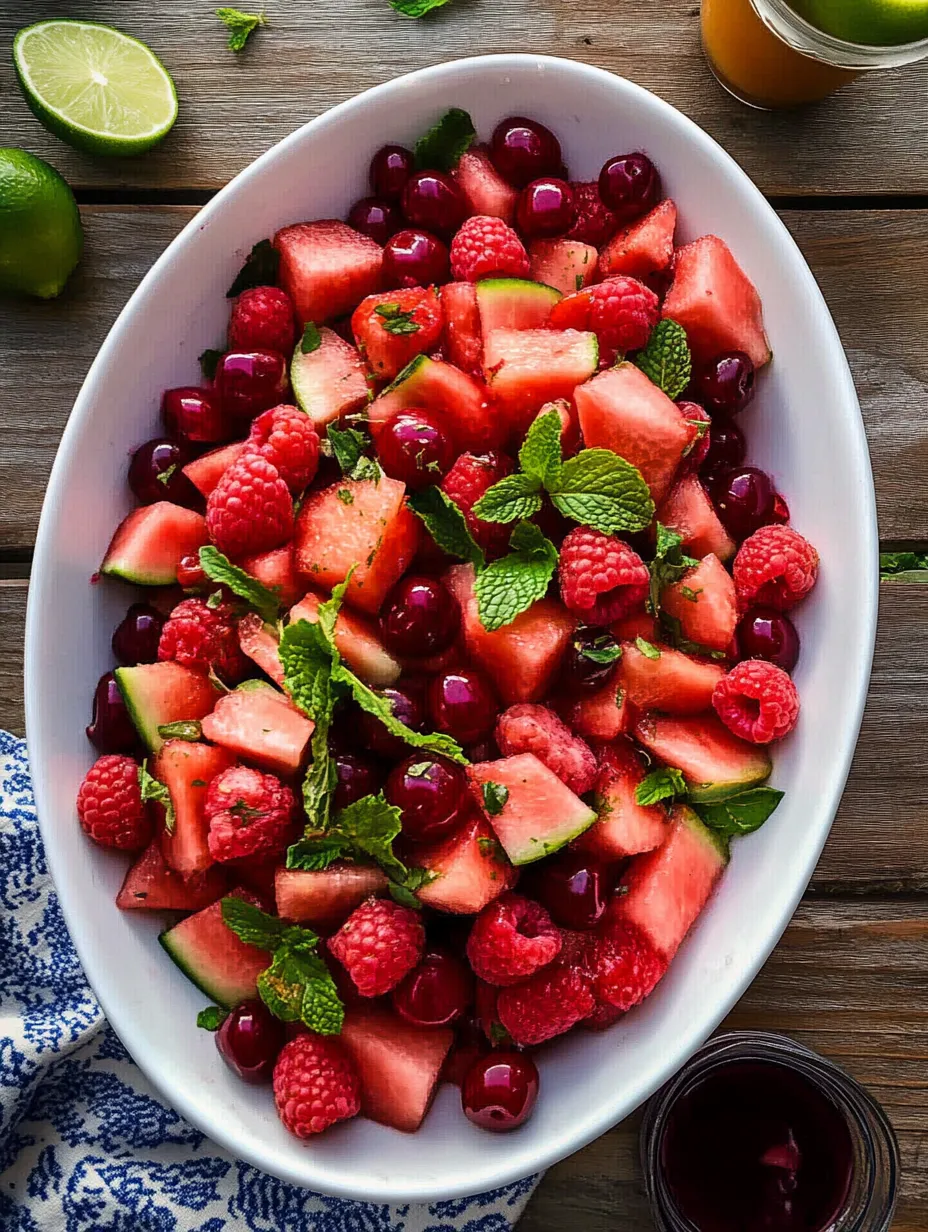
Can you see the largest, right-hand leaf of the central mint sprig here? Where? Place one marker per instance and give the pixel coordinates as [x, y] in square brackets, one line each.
[598, 488]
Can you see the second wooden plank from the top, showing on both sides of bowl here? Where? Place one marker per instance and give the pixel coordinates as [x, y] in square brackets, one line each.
[47, 348]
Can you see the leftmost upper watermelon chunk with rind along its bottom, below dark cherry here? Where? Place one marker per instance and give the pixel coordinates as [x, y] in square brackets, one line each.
[150, 544]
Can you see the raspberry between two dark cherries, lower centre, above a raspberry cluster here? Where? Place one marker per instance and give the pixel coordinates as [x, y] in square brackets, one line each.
[512, 939]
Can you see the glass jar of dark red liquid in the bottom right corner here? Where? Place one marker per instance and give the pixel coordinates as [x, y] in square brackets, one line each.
[759, 1134]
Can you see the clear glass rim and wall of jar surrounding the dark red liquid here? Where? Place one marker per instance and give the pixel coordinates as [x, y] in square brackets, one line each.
[871, 1198]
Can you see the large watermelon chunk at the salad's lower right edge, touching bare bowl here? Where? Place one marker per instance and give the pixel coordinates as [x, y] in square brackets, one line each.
[669, 888]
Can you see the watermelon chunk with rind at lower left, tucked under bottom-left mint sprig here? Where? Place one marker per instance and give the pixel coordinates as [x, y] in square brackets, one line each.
[214, 958]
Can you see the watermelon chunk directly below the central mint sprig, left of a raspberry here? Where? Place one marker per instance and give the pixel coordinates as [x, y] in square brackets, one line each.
[522, 657]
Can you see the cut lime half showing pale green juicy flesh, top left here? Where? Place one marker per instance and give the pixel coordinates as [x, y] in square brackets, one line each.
[94, 87]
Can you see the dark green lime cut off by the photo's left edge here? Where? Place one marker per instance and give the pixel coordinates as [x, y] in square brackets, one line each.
[40, 226]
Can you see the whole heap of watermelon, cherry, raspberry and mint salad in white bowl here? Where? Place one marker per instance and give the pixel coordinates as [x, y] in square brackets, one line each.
[464, 630]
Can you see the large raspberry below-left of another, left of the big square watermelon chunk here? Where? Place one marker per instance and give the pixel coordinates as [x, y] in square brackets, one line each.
[251, 509]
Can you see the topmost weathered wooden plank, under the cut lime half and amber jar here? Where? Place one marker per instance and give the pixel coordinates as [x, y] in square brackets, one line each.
[871, 139]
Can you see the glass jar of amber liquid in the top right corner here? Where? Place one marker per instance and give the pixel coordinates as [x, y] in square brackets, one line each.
[766, 55]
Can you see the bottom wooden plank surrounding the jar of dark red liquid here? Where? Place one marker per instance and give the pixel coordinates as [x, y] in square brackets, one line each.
[850, 981]
